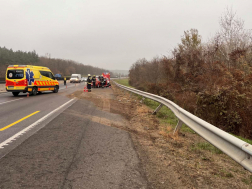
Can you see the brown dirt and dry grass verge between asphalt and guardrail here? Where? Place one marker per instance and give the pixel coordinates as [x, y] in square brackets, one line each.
[168, 161]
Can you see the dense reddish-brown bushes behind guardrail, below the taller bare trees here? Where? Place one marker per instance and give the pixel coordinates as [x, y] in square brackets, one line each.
[216, 94]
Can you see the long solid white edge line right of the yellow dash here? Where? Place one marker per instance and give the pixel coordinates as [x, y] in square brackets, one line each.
[9, 140]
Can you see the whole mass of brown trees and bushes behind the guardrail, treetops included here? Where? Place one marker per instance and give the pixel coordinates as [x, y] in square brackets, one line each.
[212, 80]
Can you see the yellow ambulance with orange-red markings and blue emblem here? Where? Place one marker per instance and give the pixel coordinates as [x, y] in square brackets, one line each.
[28, 78]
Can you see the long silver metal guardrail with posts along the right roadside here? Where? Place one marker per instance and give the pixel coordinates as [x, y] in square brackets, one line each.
[237, 149]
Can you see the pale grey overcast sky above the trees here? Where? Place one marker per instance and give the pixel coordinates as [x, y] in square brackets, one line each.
[112, 34]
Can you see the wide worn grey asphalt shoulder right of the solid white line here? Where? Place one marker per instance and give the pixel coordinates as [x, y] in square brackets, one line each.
[77, 149]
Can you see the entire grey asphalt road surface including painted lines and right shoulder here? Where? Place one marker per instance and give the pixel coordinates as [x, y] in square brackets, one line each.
[61, 145]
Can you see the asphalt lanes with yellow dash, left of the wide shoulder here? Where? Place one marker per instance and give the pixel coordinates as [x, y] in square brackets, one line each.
[14, 112]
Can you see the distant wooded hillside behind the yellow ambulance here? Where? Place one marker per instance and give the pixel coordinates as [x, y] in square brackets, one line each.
[60, 66]
